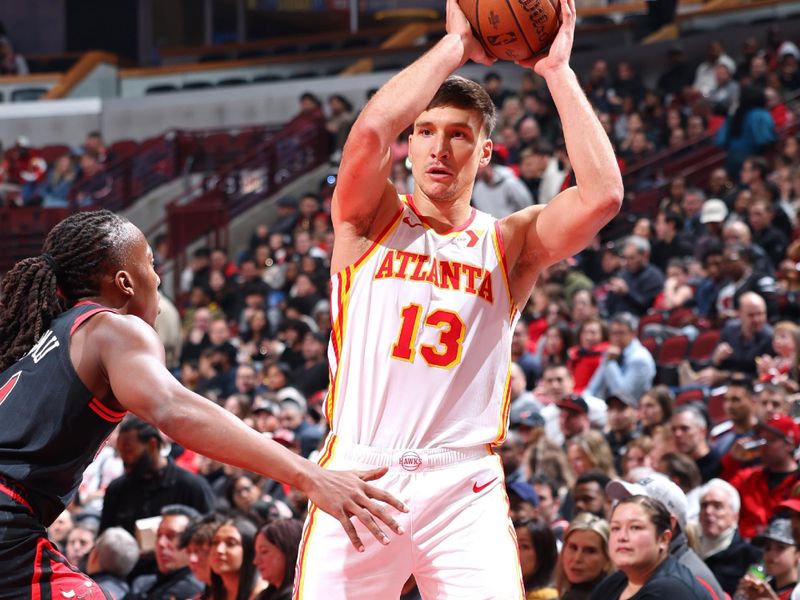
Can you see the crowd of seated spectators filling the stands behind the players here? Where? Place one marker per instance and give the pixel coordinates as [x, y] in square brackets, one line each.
[598, 427]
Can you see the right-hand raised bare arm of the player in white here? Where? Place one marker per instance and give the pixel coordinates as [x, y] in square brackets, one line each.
[565, 226]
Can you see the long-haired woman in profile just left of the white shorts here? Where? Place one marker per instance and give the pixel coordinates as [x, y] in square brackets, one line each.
[276, 549]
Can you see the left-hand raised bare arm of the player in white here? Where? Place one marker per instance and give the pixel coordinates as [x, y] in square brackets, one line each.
[366, 159]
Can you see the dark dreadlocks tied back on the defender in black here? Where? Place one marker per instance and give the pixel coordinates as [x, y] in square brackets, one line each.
[76, 255]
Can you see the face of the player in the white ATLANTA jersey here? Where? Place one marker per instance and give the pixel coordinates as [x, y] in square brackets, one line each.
[446, 148]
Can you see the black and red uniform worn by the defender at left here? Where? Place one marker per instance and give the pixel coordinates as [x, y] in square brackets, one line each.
[51, 428]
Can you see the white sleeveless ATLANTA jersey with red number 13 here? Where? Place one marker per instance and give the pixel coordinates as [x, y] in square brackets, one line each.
[420, 352]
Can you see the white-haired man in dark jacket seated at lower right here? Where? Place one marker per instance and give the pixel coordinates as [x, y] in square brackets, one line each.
[720, 544]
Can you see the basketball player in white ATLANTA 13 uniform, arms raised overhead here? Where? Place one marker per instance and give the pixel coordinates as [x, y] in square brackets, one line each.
[426, 293]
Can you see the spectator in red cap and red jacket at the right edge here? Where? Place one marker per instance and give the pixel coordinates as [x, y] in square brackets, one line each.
[765, 487]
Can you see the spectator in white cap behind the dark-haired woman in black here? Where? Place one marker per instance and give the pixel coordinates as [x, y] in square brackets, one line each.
[672, 497]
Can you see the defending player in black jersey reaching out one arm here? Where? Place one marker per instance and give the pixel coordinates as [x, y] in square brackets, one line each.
[77, 351]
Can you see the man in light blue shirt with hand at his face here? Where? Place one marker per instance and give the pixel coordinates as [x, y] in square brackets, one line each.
[627, 367]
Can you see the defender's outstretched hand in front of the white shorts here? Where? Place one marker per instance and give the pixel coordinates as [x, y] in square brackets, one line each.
[346, 494]
